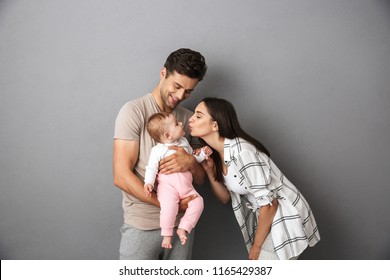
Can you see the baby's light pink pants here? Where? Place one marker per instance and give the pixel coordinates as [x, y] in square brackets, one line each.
[170, 190]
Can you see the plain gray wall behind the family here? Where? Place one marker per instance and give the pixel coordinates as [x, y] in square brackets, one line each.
[308, 78]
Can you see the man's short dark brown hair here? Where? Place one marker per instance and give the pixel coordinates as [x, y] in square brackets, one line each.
[186, 62]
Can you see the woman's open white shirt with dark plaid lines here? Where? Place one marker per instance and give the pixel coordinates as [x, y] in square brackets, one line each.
[260, 181]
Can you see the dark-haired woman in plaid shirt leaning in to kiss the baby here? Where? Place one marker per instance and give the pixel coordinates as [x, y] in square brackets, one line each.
[275, 219]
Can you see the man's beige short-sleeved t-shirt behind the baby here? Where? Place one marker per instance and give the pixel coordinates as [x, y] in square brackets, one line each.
[130, 125]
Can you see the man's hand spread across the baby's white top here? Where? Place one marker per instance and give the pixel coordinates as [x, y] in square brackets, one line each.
[180, 161]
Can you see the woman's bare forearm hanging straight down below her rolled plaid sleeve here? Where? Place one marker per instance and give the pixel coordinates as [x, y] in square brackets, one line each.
[266, 216]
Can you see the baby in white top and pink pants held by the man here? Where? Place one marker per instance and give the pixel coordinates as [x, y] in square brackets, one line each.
[167, 131]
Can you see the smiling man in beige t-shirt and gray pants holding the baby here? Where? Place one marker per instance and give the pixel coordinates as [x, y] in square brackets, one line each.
[141, 234]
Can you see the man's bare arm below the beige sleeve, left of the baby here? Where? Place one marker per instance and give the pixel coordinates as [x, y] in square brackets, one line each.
[125, 156]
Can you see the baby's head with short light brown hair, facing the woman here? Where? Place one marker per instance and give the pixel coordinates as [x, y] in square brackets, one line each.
[164, 128]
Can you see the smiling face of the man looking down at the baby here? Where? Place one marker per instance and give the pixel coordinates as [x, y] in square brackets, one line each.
[175, 88]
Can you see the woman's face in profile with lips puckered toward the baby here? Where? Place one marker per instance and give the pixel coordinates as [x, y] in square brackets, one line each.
[201, 123]
